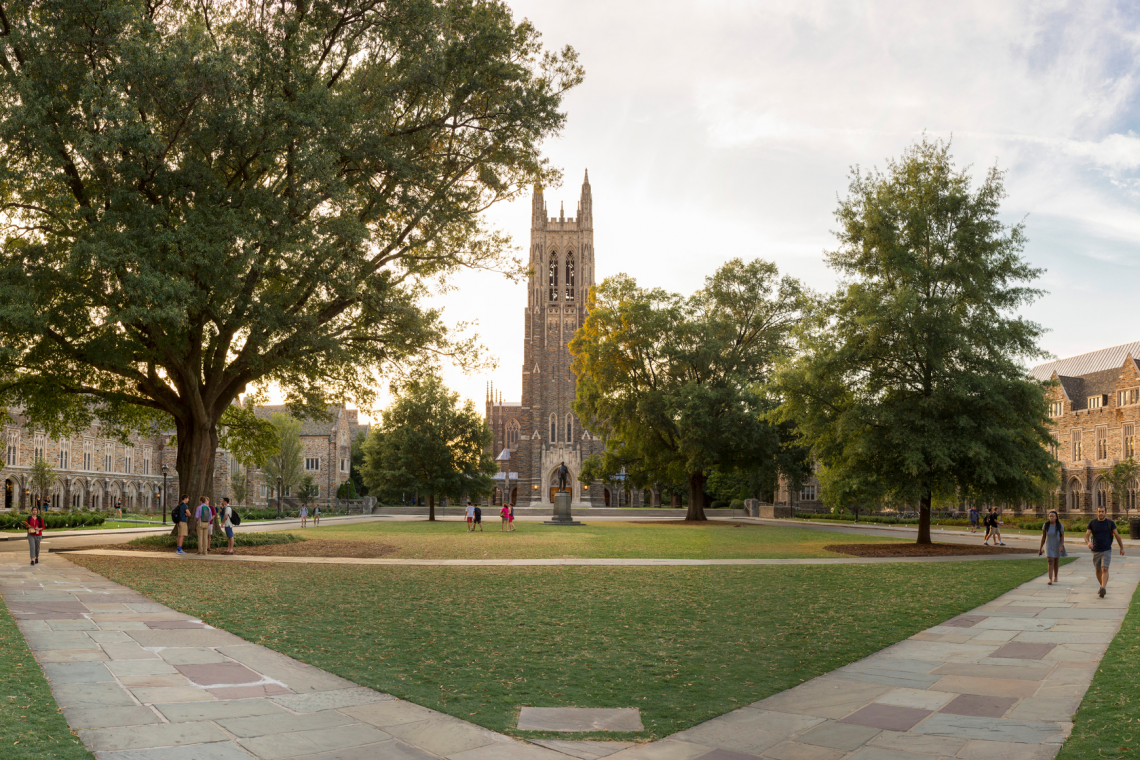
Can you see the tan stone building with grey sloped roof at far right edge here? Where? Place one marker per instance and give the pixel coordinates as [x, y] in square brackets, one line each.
[1096, 410]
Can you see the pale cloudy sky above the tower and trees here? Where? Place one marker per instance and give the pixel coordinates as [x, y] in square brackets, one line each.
[729, 128]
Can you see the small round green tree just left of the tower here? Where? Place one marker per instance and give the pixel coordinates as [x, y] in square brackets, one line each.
[429, 444]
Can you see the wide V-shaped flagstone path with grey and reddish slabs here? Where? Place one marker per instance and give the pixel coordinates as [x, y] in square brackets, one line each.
[141, 682]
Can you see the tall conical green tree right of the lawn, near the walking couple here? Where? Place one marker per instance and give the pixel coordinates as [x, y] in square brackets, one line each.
[911, 380]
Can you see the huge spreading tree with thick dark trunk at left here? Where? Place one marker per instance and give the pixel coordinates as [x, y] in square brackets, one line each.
[198, 199]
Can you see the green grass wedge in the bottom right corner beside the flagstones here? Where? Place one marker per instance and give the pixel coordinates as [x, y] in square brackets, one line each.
[1109, 723]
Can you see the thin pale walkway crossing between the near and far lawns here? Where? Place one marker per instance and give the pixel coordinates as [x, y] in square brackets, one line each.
[540, 563]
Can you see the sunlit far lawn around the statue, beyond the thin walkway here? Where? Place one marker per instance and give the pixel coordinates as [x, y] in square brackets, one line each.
[450, 541]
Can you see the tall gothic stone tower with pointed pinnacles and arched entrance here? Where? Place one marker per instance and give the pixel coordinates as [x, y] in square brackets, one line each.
[541, 432]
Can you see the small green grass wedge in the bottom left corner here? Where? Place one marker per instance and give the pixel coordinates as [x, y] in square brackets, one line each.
[31, 725]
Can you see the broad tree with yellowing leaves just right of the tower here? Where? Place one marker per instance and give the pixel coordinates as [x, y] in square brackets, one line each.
[677, 386]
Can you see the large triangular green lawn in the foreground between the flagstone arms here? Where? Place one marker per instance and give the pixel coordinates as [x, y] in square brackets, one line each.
[682, 644]
